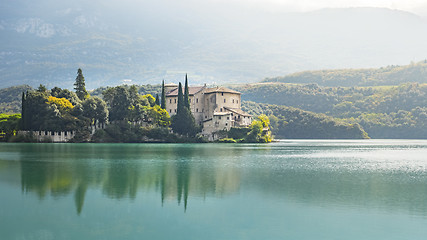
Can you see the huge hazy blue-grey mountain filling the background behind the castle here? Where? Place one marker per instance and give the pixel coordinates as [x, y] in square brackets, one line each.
[142, 42]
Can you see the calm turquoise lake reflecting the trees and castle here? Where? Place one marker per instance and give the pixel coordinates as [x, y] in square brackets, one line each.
[293, 189]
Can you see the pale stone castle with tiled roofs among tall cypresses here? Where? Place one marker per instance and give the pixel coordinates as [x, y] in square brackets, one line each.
[214, 109]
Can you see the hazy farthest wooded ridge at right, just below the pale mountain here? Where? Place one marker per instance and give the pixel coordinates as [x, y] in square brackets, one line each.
[390, 75]
